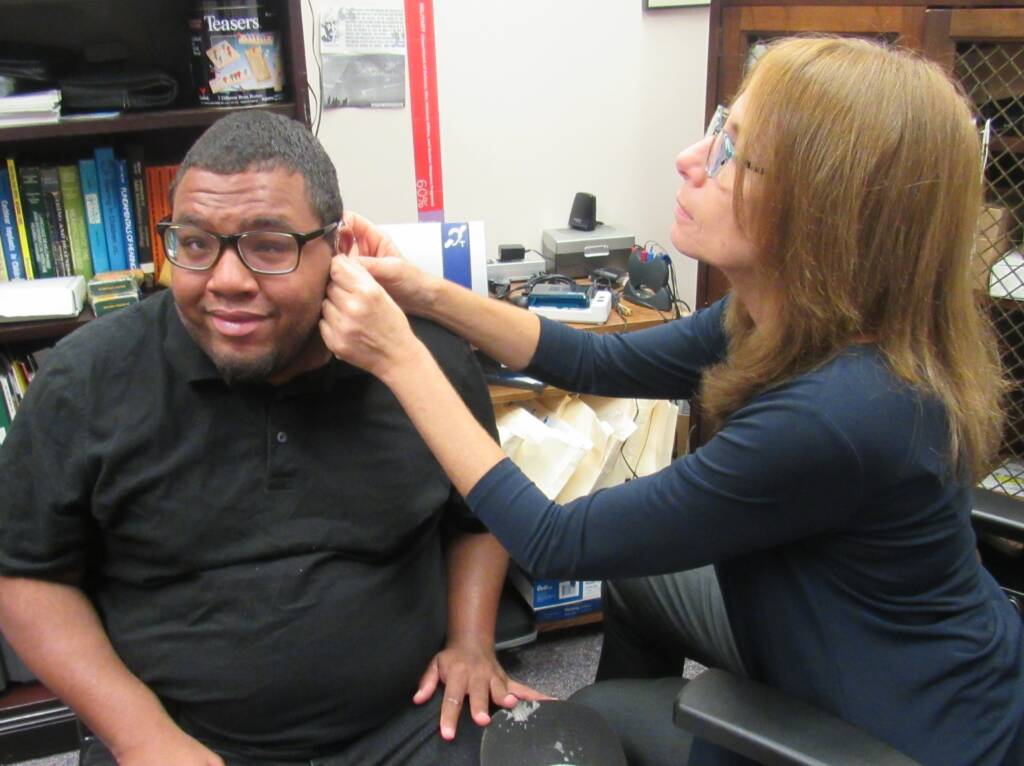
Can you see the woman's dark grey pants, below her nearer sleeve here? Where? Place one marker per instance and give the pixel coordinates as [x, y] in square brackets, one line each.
[652, 626]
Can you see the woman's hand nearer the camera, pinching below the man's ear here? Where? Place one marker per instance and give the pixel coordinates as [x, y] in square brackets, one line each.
[361, 323]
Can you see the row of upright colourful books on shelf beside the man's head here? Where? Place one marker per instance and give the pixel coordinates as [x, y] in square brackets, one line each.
[90, 218]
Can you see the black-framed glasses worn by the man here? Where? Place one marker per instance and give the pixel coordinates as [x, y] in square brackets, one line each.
[264, 252]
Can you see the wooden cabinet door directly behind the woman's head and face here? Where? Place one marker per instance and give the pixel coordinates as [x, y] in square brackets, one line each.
[737, 31]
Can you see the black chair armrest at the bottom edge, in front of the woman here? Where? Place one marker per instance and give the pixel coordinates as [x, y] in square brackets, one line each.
[771, 728]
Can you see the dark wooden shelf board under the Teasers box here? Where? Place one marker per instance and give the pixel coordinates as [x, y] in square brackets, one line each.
[133, 122]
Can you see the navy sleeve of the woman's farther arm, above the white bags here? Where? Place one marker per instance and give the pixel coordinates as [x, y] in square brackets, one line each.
[665, 362]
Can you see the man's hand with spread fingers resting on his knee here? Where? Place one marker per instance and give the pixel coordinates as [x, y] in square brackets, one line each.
[471, 671]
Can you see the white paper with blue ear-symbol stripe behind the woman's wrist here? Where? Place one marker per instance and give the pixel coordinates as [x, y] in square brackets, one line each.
[455, 251]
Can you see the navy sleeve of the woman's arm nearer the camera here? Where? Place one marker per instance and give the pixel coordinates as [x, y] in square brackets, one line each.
[779, 472]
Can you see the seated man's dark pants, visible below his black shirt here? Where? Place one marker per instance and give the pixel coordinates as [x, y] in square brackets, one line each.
[412, 738]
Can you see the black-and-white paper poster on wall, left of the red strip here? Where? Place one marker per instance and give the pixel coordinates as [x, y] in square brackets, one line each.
[364, 53]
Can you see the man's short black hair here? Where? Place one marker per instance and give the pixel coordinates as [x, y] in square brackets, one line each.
[254, 140]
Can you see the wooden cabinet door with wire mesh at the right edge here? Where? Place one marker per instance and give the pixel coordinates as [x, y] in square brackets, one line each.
[985, 52]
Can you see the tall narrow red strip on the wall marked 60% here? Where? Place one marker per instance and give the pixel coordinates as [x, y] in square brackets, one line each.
[423, 98]
